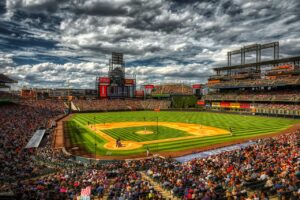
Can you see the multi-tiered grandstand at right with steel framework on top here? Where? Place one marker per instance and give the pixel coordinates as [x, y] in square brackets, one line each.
[263, 87]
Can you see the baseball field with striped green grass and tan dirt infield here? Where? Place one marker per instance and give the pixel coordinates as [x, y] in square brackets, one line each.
[132, 133]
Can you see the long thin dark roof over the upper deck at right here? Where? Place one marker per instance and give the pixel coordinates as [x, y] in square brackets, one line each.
[269, 62]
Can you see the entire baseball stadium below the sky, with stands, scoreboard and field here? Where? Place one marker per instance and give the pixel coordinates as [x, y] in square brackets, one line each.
[234, 137]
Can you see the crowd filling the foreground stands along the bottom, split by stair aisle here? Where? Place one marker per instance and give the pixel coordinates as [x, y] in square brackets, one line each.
[270, 167]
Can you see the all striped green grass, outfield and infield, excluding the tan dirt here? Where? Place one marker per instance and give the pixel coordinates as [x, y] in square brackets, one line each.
[242, 126]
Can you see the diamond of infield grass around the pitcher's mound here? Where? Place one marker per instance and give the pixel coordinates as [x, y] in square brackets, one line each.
[159, 132]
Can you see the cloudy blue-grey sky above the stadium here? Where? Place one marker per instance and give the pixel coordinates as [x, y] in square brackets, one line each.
[46, 43]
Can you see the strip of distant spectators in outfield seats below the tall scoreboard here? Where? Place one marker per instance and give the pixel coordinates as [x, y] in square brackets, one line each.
[120, 104]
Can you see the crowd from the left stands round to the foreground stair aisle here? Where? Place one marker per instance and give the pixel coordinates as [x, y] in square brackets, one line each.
[64, 177]
